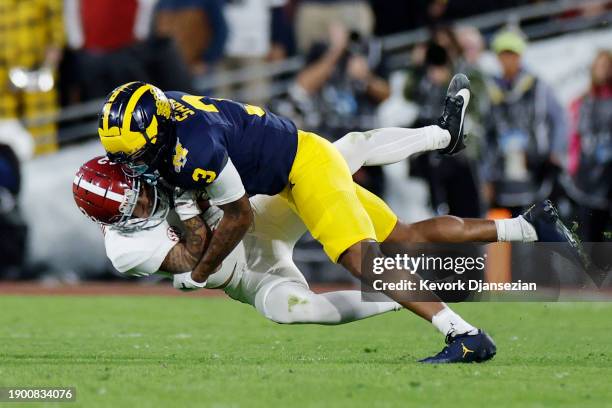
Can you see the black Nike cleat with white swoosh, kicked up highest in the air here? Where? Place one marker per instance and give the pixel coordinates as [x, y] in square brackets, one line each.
[452, 119]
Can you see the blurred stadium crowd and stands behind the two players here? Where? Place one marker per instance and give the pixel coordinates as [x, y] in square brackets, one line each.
[540, 121]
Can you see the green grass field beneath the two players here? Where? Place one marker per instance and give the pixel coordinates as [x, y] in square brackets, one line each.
[179, 352]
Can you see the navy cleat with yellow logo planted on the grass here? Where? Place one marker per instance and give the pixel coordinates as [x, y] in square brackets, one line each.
[465, 348]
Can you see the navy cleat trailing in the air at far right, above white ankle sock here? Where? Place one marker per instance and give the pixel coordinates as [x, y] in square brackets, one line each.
[544, 217]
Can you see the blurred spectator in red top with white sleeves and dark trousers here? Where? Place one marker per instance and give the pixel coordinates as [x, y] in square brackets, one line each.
[111, 44]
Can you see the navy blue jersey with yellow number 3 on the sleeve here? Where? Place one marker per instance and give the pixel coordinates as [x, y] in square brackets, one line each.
[261, 145]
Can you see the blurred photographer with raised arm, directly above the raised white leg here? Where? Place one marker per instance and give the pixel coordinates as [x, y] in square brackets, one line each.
[339, 90]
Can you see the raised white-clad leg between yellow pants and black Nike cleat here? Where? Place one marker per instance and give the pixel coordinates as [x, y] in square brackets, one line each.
[389, 145]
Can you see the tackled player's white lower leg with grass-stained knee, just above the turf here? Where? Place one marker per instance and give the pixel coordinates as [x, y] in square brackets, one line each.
[292, 302]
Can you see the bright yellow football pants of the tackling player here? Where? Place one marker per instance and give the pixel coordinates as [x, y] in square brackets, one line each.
[337, 212]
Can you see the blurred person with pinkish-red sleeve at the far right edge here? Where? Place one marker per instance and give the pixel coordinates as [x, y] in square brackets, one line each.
[591, 152]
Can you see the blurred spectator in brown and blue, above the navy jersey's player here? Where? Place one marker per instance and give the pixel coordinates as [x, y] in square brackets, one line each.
[199, 29]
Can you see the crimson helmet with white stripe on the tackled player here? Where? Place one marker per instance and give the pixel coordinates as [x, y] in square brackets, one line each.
[105, 194]
